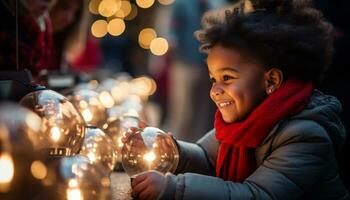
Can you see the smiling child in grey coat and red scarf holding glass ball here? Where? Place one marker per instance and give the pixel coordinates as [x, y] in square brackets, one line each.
[275, 136]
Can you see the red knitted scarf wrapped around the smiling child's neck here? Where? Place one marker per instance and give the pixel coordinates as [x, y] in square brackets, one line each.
[236, 156]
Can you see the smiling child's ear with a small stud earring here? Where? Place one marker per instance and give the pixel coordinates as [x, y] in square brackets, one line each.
[273, 80]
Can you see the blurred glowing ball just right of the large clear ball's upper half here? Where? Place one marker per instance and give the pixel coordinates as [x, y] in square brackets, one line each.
[90, 106]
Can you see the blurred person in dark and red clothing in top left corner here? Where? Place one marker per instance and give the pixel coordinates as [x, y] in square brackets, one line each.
[32, 41]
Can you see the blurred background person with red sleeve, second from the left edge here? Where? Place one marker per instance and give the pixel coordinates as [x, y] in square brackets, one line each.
[74, 47]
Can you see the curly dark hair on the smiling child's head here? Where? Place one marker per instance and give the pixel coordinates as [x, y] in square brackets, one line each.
[285, 34]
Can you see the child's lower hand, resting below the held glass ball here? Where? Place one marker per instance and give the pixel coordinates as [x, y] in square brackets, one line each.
[148, 185]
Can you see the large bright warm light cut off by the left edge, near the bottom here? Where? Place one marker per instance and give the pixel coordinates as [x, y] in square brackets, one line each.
[7, 169]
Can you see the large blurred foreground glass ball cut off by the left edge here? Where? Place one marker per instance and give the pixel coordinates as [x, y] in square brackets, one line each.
[21, 163]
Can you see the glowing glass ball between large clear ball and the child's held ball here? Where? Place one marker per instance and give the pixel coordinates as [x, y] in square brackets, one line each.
[99, 148]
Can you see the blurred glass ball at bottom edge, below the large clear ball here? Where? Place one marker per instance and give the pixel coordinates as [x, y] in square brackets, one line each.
[74, 178]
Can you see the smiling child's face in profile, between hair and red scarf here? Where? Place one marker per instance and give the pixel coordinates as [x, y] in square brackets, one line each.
[238, 85]
